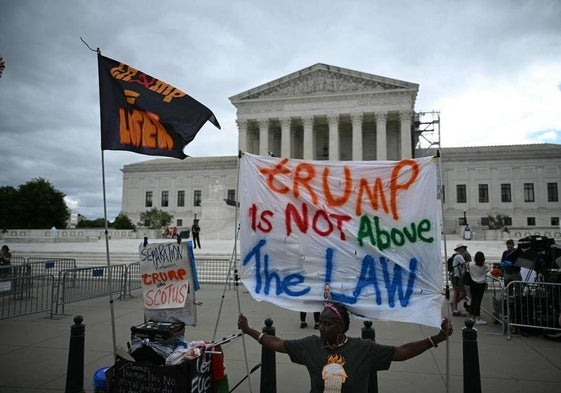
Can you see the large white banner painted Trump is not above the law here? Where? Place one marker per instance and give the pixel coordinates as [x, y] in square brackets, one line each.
[366, 230]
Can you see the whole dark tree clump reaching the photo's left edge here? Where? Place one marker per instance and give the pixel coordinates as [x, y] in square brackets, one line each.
[35, 204]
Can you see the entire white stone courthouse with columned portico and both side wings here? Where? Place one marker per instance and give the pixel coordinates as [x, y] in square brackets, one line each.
[330, 113]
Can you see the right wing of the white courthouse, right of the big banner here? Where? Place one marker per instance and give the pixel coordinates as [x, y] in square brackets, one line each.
[519, 181]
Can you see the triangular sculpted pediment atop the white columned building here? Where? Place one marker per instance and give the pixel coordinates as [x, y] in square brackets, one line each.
[322, 79]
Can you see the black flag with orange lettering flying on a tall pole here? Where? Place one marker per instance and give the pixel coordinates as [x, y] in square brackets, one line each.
[142, 114]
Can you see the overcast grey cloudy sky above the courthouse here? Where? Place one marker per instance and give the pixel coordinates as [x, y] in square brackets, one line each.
[492, 69]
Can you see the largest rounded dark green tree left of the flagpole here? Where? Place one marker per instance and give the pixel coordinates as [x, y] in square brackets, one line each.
[39, 205]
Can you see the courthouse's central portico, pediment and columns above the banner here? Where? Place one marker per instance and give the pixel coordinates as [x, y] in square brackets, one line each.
[328, 113]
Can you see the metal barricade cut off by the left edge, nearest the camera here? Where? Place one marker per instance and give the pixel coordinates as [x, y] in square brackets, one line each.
[26, 294]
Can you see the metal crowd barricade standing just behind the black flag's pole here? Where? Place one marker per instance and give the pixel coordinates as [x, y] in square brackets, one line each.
[88, 283]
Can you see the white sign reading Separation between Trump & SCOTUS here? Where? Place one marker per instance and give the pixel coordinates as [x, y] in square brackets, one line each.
[168, 286]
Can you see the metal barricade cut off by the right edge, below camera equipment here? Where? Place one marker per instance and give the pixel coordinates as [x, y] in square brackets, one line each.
[534, 305]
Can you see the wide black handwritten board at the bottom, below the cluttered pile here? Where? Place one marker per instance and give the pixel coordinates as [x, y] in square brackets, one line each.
[132, 377]
